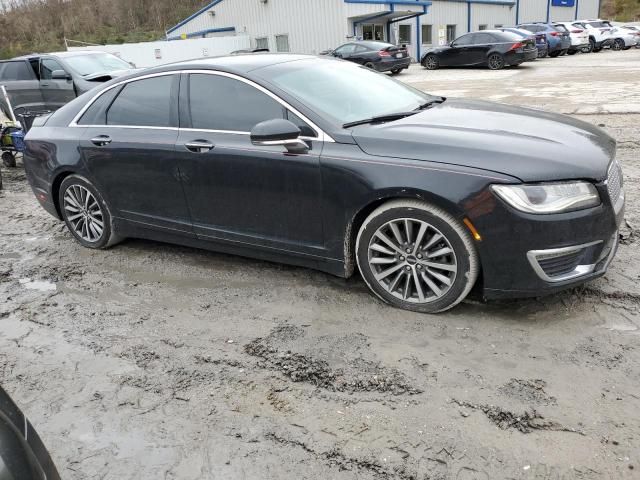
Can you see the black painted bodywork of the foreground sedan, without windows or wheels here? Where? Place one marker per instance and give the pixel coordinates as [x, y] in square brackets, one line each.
[449, 155]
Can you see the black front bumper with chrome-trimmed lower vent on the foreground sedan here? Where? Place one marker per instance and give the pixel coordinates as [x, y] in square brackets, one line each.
[526, 255]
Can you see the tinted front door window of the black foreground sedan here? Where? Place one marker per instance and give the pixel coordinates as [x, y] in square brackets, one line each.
[235, 106]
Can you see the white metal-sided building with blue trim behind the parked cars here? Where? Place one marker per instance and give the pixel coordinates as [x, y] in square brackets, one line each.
[311, 26]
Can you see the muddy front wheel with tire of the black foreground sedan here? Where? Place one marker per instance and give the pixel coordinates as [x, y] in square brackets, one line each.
[441, 288]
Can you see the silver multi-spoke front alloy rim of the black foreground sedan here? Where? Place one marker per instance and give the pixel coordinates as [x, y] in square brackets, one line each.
[412, 260]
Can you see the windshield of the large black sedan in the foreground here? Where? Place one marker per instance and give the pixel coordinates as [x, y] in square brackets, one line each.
[343, 91]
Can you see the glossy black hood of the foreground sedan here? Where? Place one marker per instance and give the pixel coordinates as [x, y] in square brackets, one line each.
[528, 144]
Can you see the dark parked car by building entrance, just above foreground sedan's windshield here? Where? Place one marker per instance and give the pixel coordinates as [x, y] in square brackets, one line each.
[379, 56]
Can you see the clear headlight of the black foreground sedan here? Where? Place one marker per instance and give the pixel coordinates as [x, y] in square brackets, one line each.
[549, 197]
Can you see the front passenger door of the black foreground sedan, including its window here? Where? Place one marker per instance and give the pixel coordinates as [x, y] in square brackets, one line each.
[239, 192]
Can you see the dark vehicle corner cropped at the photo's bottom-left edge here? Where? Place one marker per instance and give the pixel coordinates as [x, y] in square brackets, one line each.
[23, 456]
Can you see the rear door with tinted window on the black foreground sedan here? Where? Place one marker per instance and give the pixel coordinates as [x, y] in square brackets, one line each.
[129, 148]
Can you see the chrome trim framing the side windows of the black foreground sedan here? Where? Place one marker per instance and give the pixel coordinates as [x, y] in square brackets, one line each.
[322, 135]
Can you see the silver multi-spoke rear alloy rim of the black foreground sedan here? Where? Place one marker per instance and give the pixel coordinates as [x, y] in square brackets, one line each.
[83, 213]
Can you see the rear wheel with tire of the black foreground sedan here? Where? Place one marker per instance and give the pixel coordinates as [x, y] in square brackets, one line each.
[94, 227]
